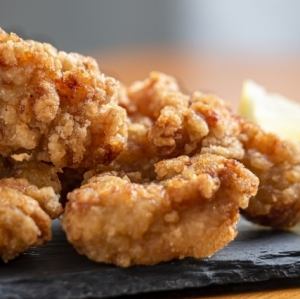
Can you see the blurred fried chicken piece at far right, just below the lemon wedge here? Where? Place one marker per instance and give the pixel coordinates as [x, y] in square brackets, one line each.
[277, 165]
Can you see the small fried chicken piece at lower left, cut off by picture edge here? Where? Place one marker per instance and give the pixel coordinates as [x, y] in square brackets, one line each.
[25, 216]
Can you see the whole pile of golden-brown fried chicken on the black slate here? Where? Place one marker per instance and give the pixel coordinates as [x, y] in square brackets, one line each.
[163, 174]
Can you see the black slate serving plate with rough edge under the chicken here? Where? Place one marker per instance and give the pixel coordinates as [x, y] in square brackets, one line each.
[57, 271]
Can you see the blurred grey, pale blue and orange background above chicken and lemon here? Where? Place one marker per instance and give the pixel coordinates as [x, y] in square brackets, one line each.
[211, 45]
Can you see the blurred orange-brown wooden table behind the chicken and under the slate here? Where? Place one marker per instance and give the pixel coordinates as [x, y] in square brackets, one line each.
[222, 75]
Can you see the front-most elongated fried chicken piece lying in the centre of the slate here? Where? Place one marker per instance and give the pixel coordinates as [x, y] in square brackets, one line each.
[190, 209]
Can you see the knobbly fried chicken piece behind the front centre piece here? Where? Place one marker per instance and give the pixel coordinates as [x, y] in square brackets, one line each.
[177, 124]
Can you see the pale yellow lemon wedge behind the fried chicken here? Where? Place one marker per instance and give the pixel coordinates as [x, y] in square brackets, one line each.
[273, 112]
